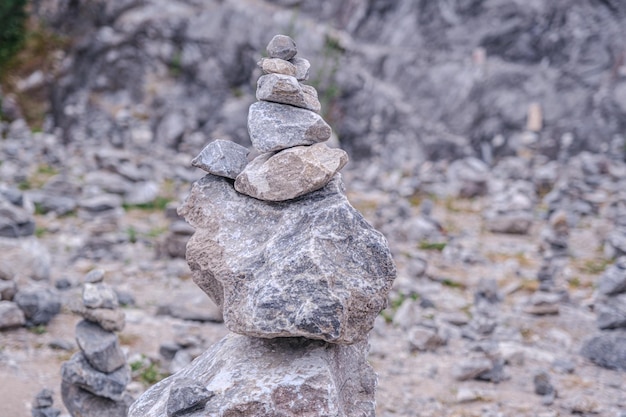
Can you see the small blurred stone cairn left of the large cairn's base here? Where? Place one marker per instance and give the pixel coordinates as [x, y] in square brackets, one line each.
[94, 380]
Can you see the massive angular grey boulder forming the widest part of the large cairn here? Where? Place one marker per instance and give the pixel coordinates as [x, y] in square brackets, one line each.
[312, 267]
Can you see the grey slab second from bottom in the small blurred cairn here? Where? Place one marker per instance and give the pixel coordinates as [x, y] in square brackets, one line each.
[77, 371]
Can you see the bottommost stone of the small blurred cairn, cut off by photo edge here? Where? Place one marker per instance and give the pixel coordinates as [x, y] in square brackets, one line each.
[85, 404]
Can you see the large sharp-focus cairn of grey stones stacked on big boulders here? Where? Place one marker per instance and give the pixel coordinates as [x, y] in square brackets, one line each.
[299, 274]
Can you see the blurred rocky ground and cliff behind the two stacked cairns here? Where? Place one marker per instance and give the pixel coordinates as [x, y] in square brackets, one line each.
[486, 141]
